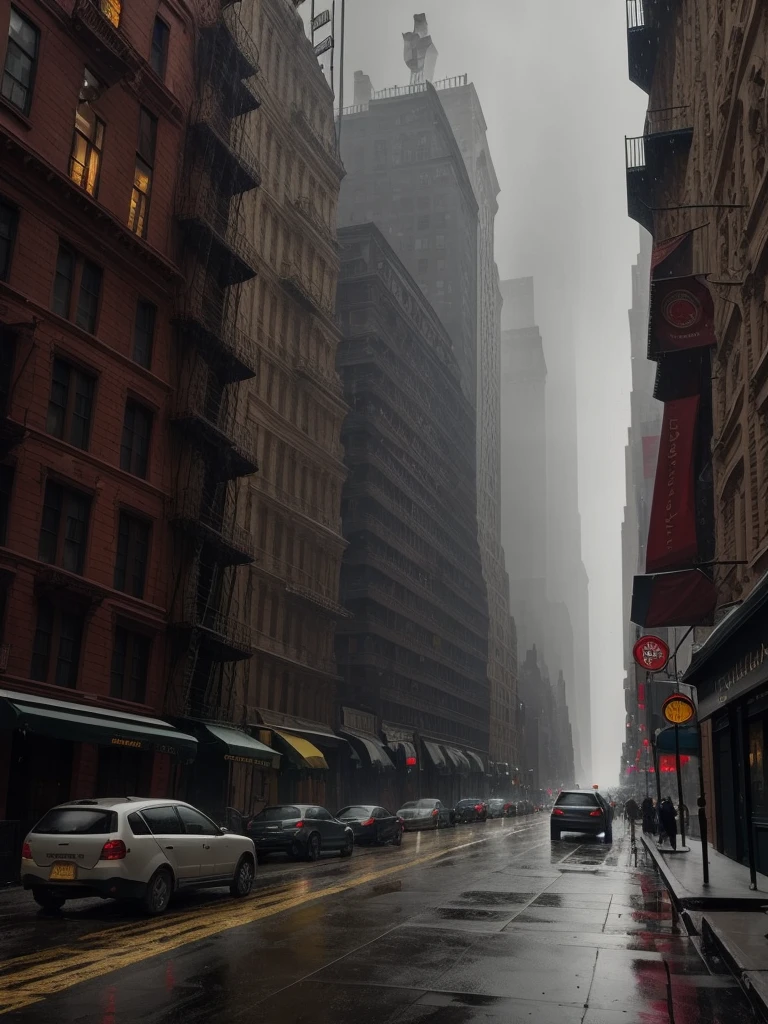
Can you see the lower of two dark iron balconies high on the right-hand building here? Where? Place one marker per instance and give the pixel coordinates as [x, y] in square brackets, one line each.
[667, 138]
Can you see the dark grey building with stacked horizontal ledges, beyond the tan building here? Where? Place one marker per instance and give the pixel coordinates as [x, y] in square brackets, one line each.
[414, 654]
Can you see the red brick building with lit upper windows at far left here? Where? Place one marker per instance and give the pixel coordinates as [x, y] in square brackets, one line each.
[94, 110]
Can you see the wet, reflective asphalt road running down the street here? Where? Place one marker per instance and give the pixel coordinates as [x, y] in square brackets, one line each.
[487, 923]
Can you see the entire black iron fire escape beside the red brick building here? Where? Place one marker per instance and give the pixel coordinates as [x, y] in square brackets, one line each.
[217, 447]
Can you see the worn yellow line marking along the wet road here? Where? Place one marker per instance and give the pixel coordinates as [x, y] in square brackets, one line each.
[27, 980]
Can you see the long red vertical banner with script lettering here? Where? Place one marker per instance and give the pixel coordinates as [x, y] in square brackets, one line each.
[672, 534]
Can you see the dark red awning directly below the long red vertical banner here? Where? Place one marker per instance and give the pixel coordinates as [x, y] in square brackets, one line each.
[684, 599]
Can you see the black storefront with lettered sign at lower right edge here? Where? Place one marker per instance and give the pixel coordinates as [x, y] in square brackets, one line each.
[731, 674]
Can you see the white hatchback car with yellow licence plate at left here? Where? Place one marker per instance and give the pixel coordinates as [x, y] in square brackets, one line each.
[132, 848]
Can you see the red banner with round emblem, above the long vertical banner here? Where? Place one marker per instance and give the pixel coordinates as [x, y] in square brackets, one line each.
[682, 316]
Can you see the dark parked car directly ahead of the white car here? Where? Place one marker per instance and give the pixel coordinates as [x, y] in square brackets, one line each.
[302, 831]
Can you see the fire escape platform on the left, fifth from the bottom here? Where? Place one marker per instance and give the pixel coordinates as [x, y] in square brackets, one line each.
[207, 227]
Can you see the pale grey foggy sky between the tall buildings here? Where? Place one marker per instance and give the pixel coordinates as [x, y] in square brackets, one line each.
[552, 79]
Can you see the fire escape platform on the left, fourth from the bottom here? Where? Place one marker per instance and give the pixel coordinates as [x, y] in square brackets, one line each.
[214, 330]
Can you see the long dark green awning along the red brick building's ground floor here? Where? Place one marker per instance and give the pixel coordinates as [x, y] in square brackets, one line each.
[81, 723]
